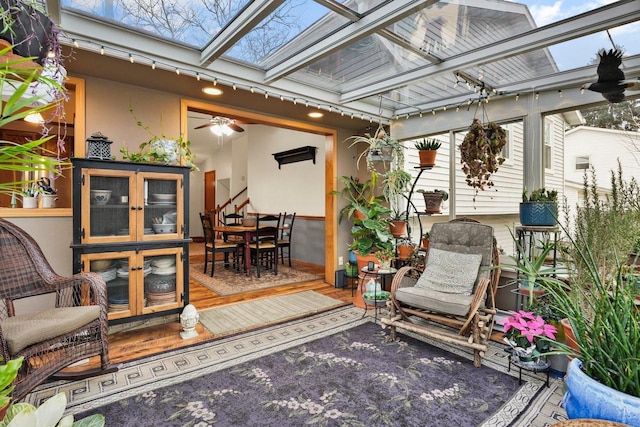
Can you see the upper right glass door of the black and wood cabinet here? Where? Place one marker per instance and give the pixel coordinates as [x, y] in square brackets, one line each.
[163, 215]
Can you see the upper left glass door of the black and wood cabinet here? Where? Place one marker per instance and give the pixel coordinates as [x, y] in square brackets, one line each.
[110, 212]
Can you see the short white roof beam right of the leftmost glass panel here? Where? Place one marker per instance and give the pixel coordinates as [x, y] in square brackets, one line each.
[250, 16]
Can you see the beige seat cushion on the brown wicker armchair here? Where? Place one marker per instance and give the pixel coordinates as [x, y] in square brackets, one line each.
[27, 329]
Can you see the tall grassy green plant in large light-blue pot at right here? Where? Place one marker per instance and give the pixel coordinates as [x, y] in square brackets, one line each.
[598, 302]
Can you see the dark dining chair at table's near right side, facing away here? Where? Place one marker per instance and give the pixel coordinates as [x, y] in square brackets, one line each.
[264, 248]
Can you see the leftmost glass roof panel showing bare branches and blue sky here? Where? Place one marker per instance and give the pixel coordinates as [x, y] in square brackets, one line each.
[191, 22]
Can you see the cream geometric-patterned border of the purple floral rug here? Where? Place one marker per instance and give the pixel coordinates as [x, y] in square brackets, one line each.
[180, 365]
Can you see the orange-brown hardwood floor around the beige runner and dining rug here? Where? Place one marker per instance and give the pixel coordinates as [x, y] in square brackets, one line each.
[134, 344]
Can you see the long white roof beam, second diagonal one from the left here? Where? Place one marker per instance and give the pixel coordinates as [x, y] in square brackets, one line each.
[378, 19]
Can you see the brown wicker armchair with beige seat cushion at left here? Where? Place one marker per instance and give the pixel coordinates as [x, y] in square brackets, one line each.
[74, 329]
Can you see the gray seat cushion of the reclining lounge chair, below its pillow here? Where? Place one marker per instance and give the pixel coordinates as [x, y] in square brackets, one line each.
[442, 302]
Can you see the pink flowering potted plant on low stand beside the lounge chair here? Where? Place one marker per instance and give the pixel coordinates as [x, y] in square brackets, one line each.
[526, 330]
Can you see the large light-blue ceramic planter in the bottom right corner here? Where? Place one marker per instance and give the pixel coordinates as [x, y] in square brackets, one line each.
[587, 398]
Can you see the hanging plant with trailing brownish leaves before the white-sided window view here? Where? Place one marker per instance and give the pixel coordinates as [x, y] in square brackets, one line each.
[480, 154]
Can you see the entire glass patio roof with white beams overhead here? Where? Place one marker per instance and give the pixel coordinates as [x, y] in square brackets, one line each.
[372, 60]
